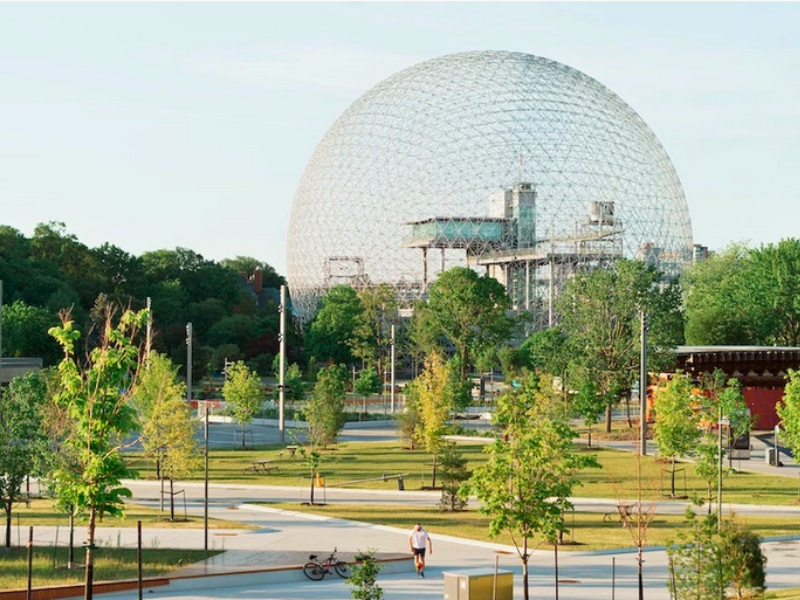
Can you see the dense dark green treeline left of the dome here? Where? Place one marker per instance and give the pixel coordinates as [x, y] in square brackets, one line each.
[53, 271]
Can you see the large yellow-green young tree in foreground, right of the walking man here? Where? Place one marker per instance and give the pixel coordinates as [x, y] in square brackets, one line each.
[525, 484]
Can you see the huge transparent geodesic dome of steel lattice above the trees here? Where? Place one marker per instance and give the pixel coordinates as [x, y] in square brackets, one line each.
[501, 161]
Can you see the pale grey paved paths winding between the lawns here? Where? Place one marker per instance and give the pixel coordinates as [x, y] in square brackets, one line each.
[285, 537]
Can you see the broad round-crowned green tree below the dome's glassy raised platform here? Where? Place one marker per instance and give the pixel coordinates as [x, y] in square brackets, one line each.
[466, 310]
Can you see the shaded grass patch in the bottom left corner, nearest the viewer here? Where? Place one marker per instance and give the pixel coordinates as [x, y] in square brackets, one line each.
[110, 564]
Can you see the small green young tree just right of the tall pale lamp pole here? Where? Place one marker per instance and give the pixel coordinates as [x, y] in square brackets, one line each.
[324, 412]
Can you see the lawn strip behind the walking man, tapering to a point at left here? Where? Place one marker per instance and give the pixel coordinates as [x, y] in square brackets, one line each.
[588, 531]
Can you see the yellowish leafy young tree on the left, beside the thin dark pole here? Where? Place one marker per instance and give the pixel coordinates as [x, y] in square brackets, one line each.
[167, 430]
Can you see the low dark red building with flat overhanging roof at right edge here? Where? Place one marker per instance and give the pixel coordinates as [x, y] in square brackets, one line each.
[760, 369]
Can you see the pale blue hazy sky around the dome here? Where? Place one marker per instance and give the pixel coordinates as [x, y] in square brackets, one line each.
[189, 124]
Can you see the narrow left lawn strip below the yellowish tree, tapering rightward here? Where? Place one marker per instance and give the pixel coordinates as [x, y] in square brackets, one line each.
[41, 512]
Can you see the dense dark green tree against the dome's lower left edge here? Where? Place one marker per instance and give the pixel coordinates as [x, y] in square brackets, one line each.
[332, 330]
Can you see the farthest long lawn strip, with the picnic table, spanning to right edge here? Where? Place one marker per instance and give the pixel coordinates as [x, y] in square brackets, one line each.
[357, 461]
